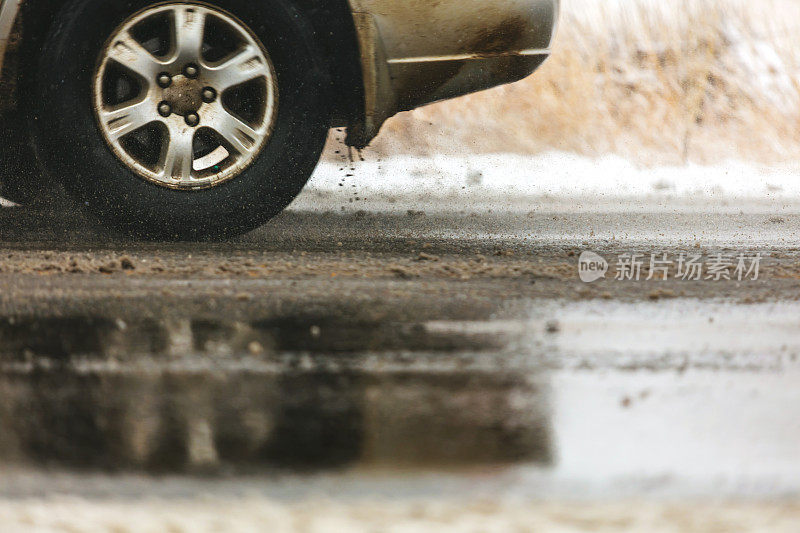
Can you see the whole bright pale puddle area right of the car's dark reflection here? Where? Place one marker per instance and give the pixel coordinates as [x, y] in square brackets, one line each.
[679, 398]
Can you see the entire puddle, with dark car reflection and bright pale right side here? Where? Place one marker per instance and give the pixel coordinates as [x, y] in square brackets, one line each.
[577, 398]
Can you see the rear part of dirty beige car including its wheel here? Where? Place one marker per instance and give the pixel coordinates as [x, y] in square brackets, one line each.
[192, 120]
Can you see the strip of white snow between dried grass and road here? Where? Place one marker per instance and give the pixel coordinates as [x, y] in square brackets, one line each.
[512, 176]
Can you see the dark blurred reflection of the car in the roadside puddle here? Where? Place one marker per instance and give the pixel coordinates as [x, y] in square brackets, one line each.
[295, 392]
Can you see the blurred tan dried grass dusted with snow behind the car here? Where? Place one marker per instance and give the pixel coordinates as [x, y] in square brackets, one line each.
[667, 82]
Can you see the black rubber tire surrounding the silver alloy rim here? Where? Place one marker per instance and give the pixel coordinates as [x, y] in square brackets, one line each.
[75, 149]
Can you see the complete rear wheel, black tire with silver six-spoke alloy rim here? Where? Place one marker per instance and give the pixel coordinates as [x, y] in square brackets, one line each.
[182, 120]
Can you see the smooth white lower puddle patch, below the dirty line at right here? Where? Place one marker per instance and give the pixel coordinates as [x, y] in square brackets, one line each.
[701, 432]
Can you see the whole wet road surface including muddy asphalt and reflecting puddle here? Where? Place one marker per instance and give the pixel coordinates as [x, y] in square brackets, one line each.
[404, 339]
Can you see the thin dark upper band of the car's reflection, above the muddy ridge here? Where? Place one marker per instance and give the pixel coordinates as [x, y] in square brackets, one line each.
[93, 337]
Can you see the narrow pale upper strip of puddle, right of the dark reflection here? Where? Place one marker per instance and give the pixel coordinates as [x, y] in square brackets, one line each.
[670, 335]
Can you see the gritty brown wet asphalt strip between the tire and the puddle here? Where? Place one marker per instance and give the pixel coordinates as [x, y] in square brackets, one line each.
[396, 265]
